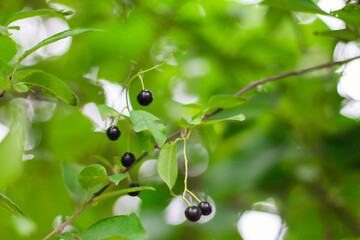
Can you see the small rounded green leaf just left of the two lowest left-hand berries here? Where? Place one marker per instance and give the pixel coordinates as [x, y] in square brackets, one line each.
[92, 175]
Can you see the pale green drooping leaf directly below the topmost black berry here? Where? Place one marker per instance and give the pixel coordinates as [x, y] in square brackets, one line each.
[143, 120]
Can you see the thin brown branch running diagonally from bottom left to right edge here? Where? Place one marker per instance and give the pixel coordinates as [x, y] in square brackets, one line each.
[249, 86]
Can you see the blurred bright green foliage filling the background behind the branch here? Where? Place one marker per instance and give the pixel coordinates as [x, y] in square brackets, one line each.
[294, 146]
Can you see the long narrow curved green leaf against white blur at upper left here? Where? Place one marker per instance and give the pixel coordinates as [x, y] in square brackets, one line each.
[54, 38]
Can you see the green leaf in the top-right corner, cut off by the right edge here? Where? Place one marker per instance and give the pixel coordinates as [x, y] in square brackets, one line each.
[350, 14]
